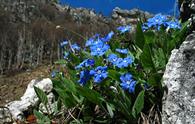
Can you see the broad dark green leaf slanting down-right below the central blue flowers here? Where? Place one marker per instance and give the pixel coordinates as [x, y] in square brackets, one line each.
[90, 94]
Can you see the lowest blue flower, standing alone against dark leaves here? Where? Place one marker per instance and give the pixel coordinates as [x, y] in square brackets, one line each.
[128, 83]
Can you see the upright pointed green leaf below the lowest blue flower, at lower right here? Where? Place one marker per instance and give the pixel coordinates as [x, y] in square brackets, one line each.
[138, 105]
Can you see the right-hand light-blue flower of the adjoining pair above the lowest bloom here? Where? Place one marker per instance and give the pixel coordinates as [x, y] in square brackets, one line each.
[121, 63]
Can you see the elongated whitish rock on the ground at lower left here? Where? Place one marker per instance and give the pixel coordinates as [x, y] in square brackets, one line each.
[29, 100]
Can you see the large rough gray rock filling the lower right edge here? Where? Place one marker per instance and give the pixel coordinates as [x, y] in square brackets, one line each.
[179, 78]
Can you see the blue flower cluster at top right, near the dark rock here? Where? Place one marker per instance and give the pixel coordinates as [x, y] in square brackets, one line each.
[160, 20]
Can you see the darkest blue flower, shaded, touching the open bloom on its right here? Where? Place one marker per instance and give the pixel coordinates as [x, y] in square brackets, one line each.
[84, 77]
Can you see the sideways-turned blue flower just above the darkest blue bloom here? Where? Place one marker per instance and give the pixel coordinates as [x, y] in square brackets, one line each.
[86, 63]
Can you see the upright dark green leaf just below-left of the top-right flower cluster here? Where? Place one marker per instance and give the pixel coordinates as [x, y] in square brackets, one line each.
[139, 38]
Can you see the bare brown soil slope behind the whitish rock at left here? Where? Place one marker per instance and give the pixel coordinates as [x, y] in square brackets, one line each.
[13, 86]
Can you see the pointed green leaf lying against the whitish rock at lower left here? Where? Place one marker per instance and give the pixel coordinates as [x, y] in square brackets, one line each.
[41, 95]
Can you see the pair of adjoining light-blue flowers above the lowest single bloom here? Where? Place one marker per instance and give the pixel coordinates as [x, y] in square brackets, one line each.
[120, 62]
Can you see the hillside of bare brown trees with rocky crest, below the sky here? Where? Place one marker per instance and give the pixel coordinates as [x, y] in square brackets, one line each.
[28, 34]
